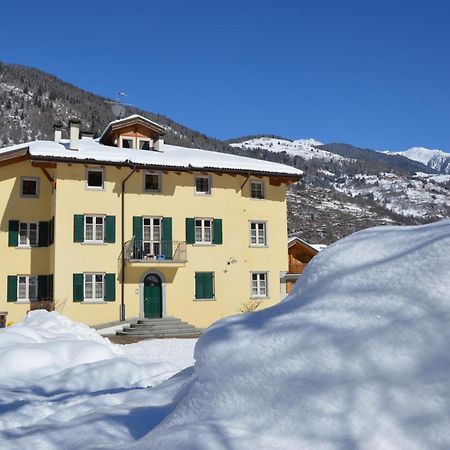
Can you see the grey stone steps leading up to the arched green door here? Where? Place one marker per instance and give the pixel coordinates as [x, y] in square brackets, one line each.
[165, 327]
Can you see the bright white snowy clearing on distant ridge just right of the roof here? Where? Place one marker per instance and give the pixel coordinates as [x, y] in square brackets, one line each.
[306, 148]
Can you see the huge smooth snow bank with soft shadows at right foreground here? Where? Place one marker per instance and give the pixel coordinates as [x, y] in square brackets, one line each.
[357, 357]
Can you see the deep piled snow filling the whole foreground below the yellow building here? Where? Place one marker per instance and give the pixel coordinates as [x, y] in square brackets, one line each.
[355, 358]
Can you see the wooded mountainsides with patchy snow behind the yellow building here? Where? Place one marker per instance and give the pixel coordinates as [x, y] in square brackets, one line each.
[344, 188]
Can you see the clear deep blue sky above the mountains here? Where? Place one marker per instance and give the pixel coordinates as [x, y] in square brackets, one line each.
[371, 73]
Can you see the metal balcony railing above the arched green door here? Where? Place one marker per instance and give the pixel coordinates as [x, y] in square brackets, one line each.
[155, 251]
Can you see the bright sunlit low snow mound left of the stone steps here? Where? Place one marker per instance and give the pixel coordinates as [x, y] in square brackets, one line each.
[56, 354]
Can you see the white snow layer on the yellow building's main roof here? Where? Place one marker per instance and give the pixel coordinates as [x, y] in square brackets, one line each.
[172, 157]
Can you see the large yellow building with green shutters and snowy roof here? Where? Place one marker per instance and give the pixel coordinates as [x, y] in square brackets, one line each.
[128, 226]
